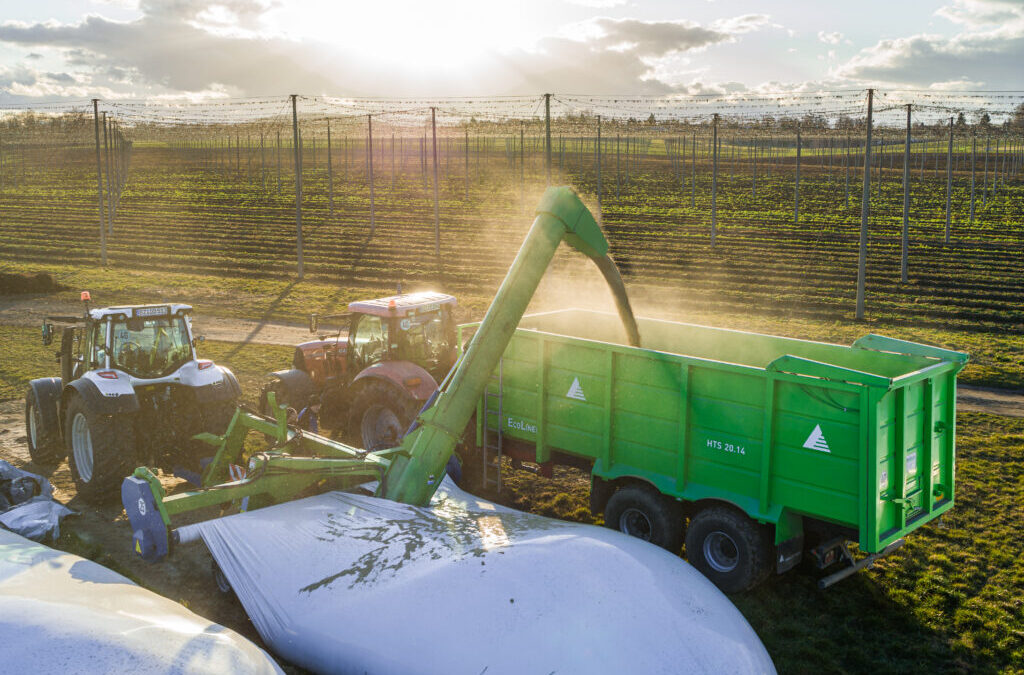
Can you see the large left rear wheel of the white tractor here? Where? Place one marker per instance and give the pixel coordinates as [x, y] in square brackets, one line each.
[101, 449]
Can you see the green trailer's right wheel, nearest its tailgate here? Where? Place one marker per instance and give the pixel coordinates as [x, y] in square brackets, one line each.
[730, 549]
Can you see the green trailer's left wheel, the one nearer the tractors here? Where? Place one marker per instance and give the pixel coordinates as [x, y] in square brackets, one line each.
[642, 512]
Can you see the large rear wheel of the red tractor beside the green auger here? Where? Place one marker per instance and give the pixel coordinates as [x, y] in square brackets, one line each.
[380, 415]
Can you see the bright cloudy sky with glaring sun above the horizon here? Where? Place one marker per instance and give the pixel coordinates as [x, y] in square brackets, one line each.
[204, 50]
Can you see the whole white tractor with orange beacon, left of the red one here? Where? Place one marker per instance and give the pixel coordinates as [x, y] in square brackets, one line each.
[132, 392]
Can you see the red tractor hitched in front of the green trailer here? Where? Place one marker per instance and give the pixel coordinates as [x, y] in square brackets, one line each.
[374, 374]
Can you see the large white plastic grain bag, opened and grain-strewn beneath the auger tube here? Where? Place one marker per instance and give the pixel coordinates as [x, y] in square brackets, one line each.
[345, 583]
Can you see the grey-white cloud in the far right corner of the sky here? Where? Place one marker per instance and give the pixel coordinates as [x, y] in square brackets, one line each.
[990, 49]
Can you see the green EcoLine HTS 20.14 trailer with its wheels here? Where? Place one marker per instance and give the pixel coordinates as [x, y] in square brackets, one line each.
[772, 448]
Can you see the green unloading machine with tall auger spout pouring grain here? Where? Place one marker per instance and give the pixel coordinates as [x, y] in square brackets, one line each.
[410, 473]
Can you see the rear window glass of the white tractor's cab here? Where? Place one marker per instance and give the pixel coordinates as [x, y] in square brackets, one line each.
[151, 348]
